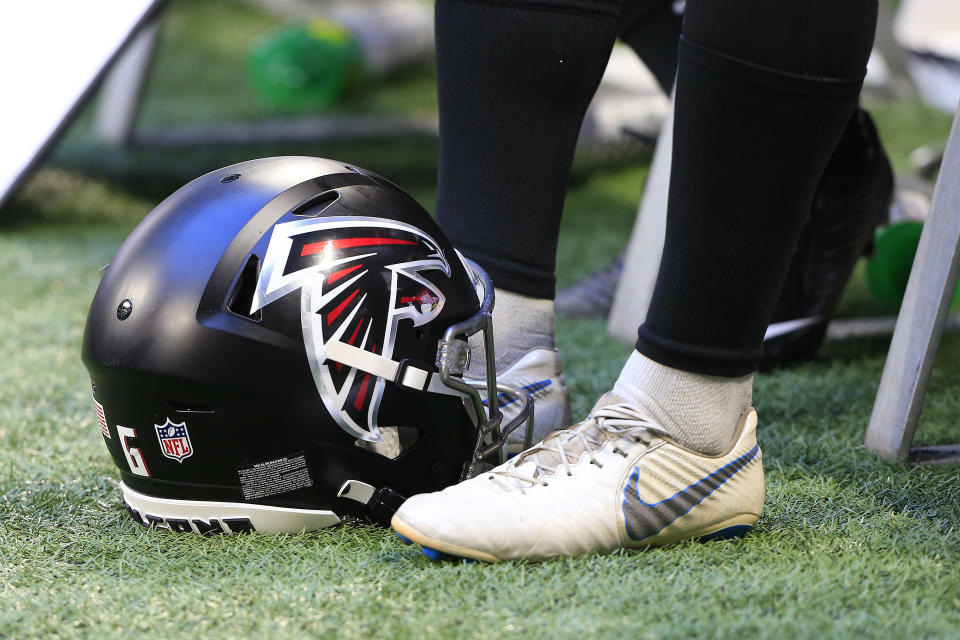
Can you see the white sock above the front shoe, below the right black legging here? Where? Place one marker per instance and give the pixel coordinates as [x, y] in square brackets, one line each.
[699, 412]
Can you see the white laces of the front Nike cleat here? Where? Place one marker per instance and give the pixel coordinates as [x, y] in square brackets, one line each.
[562, 449]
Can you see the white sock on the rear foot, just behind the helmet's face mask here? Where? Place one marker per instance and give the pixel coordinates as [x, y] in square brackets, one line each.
[520, 323]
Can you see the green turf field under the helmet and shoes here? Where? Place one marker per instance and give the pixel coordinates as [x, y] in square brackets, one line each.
[848, 546]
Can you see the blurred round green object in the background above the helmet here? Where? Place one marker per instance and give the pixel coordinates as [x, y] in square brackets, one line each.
[305, 65]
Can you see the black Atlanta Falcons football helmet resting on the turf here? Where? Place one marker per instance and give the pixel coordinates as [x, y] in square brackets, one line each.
[280, 343]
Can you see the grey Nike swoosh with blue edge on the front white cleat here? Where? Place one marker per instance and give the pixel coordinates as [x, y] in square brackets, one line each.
[644, 519]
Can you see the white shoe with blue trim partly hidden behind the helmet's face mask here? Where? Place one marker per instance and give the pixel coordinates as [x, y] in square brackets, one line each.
[539, 372]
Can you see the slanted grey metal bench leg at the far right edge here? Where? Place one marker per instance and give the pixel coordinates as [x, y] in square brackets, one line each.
[930, 290]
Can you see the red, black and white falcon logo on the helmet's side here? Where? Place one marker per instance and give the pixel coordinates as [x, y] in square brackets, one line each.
[358, 277]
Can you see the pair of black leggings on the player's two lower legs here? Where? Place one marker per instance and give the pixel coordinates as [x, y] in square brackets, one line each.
[764, 91]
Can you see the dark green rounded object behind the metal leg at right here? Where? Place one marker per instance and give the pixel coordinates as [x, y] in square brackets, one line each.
[889, 269]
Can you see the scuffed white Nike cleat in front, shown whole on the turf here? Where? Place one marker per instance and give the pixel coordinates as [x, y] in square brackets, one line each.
[610, 482]
